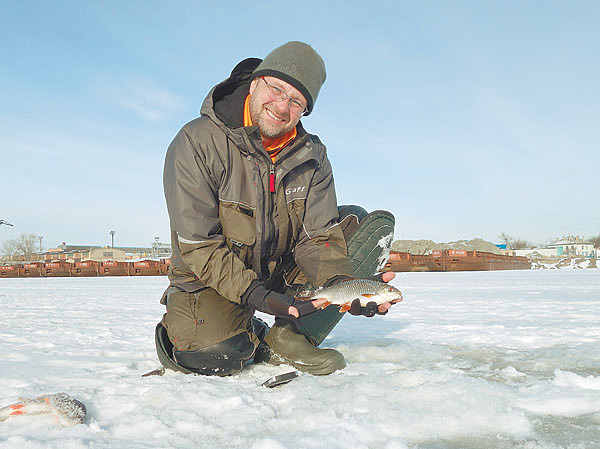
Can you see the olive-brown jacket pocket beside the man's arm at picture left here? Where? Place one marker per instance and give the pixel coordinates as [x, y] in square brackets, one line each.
[239, 229]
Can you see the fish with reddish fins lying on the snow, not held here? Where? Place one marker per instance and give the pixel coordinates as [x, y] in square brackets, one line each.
[68, 411]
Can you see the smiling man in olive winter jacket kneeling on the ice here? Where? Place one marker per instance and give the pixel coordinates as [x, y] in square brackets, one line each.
[254, 217]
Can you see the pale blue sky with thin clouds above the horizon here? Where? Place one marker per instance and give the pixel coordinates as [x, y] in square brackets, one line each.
[465, 119]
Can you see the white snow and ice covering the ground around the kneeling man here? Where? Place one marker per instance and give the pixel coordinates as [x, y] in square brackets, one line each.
[504, 359]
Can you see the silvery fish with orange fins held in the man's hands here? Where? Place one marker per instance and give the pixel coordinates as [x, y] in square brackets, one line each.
[343, 293]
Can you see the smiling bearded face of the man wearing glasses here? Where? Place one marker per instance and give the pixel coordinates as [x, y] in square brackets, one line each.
[271, 112]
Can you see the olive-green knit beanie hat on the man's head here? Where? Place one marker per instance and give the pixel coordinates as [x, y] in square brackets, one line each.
[300, 65]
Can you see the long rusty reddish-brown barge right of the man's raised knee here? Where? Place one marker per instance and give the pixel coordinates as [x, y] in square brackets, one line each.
[455, 260]
